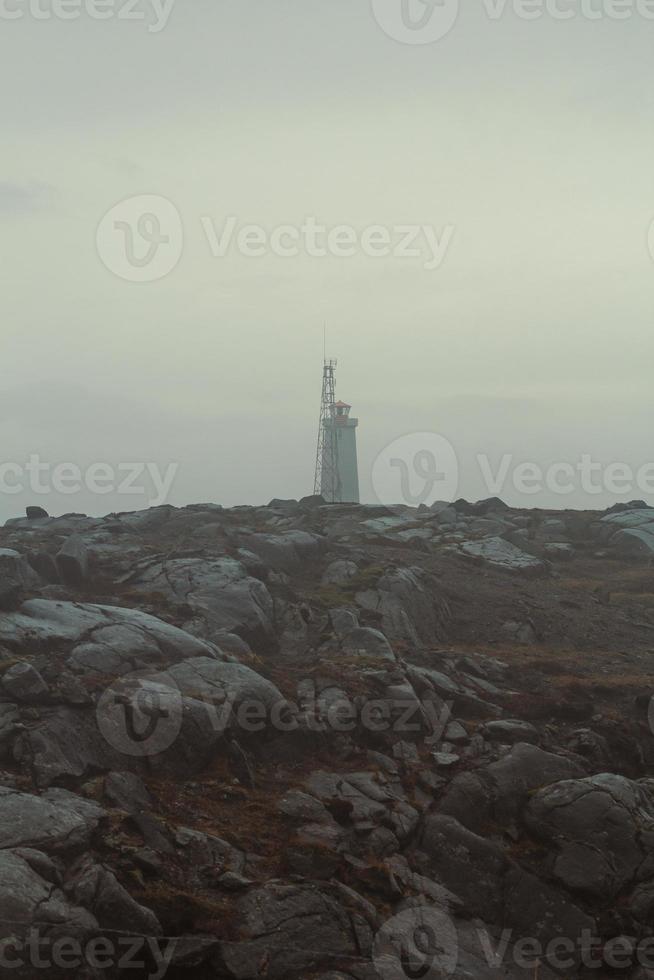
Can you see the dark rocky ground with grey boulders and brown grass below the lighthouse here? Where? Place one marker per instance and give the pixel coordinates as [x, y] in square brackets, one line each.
[303, 740]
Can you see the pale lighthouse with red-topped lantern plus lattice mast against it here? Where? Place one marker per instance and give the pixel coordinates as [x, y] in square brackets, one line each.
[337, 471]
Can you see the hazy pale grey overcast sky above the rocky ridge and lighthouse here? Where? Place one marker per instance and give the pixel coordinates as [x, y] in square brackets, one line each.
[526, 147]
